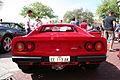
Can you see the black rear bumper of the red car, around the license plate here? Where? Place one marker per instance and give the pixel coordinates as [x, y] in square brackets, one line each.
[74, 60]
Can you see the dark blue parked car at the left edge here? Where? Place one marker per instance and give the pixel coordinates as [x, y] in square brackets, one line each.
[8, 31]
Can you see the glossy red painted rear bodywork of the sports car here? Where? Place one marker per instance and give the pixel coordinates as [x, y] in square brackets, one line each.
[68, 43]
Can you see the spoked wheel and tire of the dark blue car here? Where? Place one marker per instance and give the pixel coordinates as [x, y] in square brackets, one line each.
[6, 44]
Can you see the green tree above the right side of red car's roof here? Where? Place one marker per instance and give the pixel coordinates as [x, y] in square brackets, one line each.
[79, 15]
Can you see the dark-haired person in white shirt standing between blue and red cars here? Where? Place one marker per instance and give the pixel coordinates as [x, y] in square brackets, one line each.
[28, 22]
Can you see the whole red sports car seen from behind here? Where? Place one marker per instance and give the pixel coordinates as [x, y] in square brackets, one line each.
[57, 46]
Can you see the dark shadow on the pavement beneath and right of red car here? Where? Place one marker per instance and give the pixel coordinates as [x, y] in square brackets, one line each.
[105, 71]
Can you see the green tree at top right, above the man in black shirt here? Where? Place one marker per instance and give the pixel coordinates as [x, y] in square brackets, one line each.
[106, 7]
